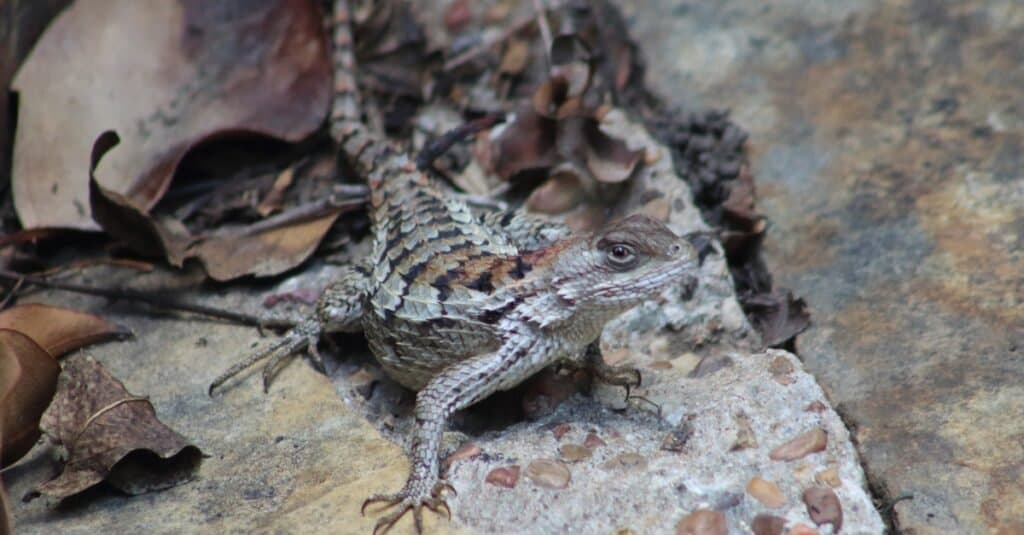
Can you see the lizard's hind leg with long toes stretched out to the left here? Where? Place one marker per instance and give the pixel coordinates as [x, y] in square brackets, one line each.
[339, 310]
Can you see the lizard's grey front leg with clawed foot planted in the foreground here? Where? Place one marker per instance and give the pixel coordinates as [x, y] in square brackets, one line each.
[457, 387]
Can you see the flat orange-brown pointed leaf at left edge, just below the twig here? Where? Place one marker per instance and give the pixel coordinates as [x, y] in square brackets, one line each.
[59, 331]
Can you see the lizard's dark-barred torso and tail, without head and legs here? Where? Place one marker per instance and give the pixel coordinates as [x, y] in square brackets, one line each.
[433, 261]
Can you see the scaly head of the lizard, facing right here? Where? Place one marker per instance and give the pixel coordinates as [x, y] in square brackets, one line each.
[627, 262]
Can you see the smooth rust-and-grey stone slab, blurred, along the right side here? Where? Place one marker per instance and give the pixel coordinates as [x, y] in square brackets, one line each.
[886, 139]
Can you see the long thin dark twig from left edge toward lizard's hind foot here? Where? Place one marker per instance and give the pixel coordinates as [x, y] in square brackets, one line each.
[154, 301]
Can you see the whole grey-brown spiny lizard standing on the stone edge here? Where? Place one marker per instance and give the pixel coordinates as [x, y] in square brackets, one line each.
[458, 306]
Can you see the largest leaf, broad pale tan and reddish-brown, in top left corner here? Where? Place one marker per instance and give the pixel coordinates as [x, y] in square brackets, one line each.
[94, 70]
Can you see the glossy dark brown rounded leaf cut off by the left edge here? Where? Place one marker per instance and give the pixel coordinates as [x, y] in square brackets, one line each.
[28, 381]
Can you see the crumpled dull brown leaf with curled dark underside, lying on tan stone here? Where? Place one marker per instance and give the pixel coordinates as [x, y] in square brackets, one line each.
[111, 434]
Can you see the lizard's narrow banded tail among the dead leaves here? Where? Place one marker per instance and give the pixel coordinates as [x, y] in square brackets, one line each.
[365, 150]
